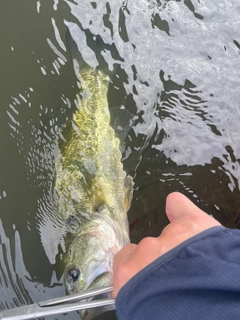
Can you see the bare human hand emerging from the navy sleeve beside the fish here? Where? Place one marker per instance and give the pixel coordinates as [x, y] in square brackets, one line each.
[186, 220]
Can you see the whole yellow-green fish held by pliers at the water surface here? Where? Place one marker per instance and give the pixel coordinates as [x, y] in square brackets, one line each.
[93, 191]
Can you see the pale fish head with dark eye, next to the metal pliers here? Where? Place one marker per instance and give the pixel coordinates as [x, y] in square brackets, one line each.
[90, 256]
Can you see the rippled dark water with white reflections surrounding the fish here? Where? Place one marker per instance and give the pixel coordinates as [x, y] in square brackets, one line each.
[178, 83]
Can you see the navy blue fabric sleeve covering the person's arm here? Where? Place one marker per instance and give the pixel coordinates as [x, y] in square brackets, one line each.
[198, 279]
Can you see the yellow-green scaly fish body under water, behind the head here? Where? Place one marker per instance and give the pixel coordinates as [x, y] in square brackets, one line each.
[88, 164]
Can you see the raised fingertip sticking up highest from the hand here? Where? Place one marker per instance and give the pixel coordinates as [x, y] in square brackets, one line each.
[177, 205]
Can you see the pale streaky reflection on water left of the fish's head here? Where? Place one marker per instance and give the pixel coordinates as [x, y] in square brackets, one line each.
[17, 286]
